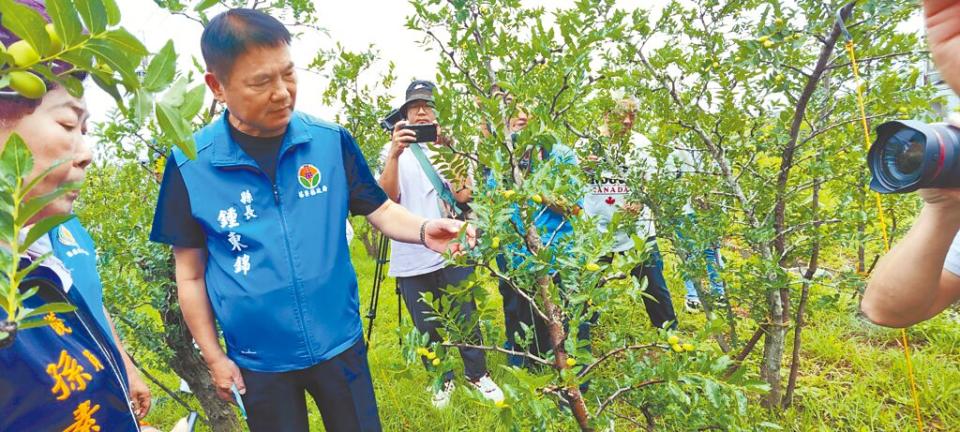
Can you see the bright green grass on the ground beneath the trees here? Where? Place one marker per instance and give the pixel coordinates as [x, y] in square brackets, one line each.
[852, 376]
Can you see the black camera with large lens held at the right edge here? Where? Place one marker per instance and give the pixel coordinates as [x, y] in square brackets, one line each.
[910, 155]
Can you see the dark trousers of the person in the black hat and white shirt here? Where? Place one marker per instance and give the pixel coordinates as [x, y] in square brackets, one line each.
[412, 287]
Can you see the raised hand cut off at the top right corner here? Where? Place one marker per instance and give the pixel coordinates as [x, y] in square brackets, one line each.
[943, 32]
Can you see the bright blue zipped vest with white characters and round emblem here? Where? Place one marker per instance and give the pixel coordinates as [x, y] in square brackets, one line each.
[278, 271]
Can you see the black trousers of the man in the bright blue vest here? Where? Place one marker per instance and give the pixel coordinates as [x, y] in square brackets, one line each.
[341, 387]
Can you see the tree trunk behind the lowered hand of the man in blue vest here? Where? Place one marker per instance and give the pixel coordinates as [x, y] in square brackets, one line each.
[189, 365]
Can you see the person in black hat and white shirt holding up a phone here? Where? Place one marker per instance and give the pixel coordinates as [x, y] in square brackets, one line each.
[410, 178]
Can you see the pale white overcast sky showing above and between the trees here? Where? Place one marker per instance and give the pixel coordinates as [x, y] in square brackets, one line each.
[356, 24]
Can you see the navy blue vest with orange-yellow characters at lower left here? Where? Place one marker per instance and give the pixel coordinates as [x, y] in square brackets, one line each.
[65, 374]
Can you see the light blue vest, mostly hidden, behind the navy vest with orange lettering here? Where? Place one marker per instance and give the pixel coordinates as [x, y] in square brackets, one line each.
[74, 247]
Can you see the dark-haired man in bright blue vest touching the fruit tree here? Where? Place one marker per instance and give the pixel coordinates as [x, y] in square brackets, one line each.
[257, 226]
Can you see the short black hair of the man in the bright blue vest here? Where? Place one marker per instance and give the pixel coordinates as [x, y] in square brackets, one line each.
[232, 33]
